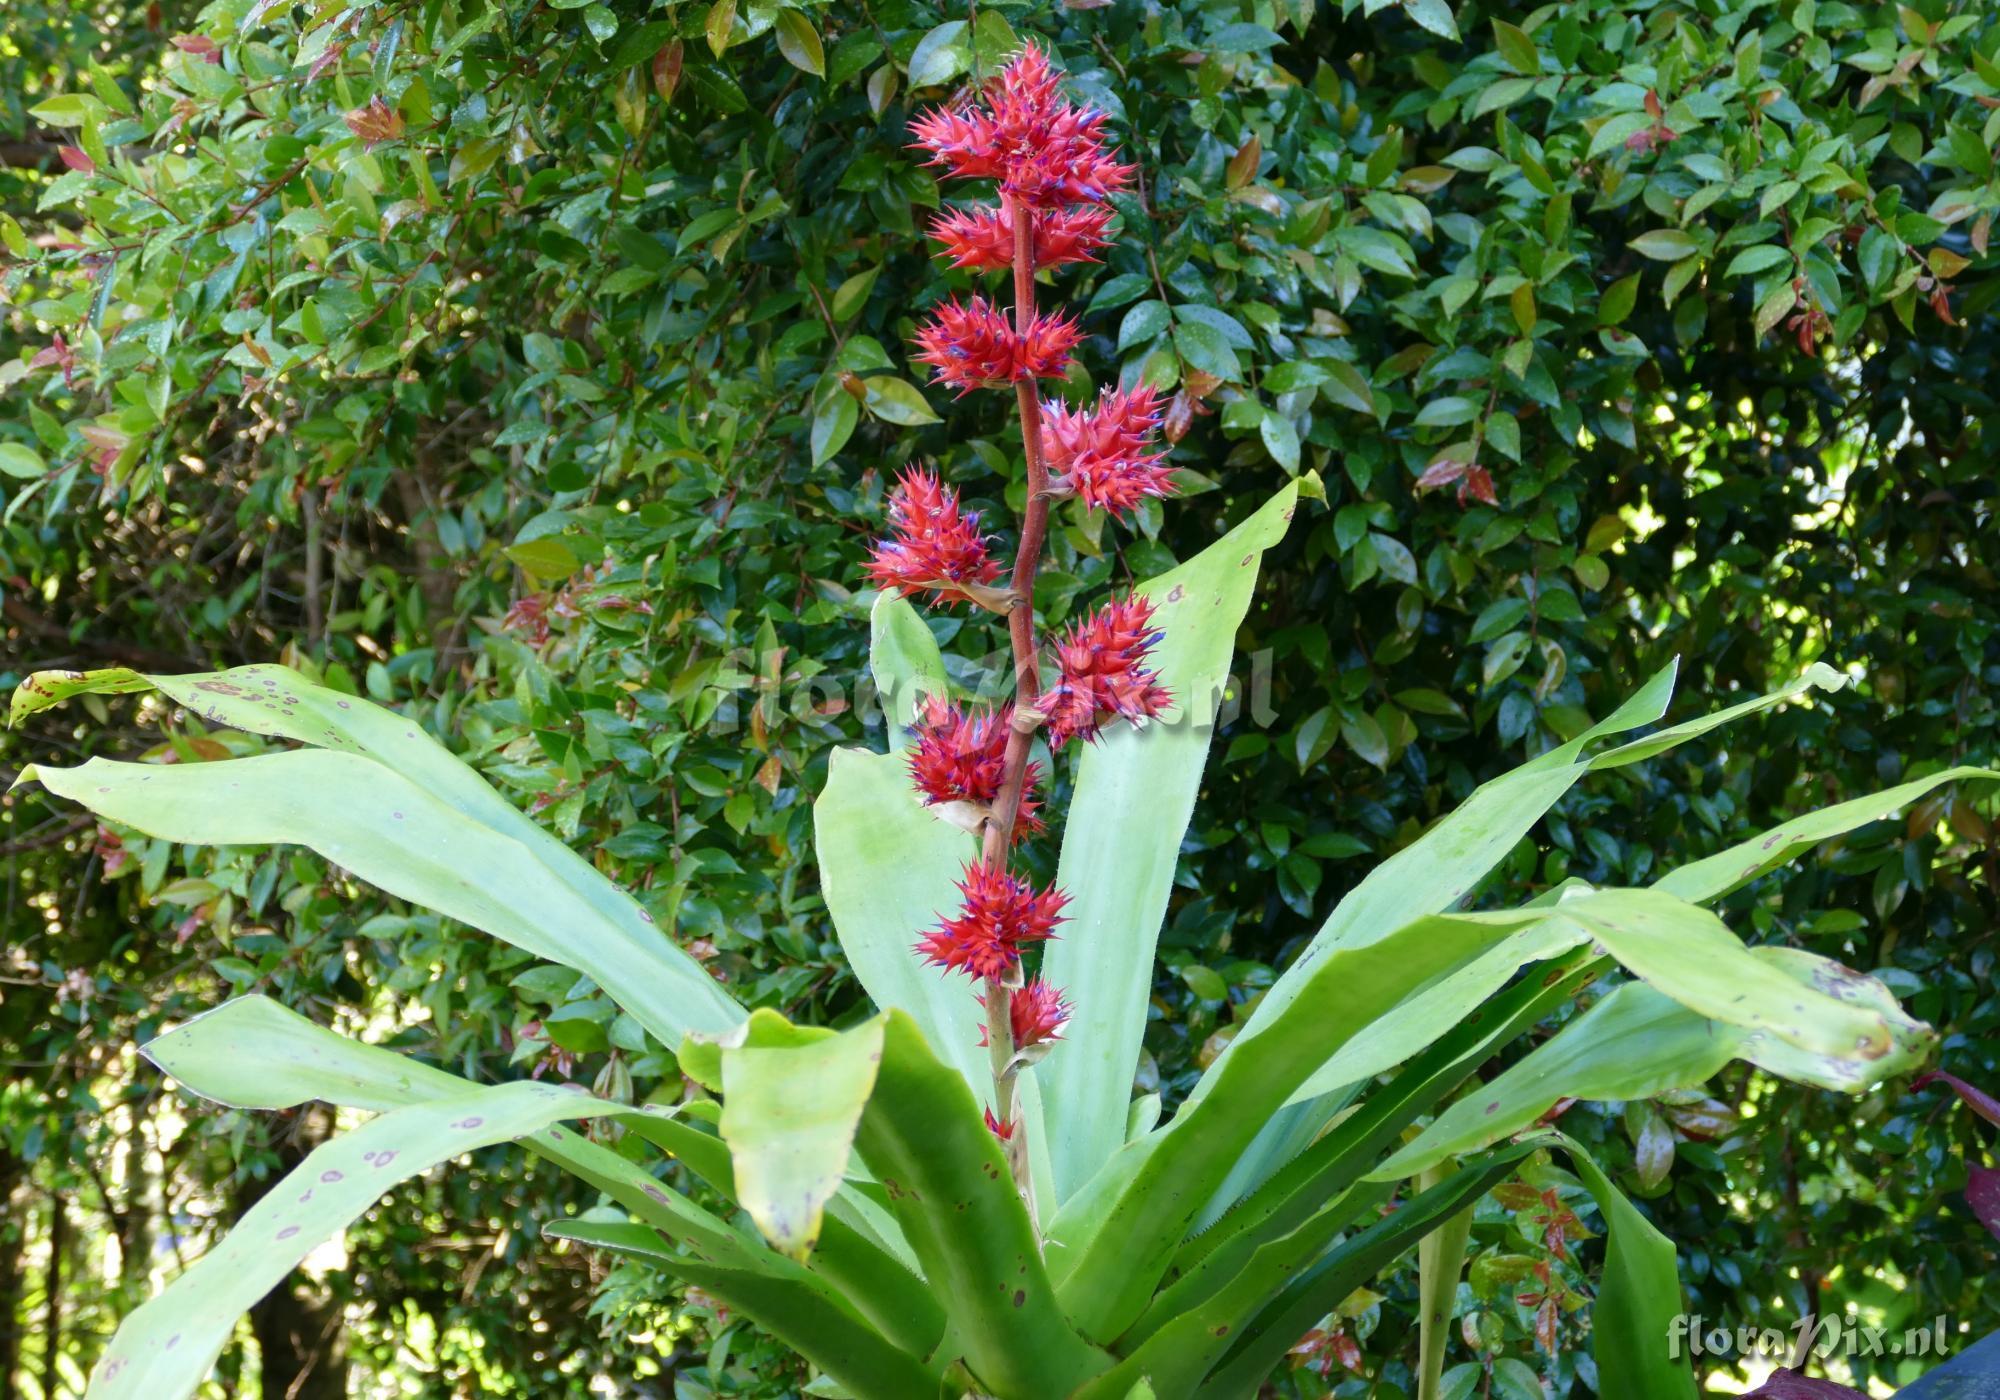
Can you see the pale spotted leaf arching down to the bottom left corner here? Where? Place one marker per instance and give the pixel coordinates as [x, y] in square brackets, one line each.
[163, 1351]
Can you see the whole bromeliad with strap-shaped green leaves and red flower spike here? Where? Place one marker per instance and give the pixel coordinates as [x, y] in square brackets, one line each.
[959, 1195]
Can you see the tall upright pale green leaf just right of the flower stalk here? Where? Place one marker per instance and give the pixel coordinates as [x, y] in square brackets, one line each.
[1135, 797]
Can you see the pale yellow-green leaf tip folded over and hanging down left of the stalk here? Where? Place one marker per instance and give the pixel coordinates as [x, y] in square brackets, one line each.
[789, 1113]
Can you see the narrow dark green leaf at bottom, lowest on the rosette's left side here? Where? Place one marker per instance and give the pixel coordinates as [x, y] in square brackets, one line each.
[805, 1317]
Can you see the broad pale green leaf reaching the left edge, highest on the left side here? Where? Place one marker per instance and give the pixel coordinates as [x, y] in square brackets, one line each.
[395, 807]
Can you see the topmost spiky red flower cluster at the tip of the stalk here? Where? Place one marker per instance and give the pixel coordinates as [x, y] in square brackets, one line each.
[1029, 137]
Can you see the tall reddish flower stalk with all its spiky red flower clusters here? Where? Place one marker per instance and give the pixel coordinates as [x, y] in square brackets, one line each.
[1053, 171]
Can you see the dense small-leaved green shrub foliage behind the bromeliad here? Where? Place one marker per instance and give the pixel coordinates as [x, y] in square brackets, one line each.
[527, 397]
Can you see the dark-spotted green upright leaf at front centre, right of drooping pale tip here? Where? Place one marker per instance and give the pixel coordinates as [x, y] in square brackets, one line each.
[925, 1141]
